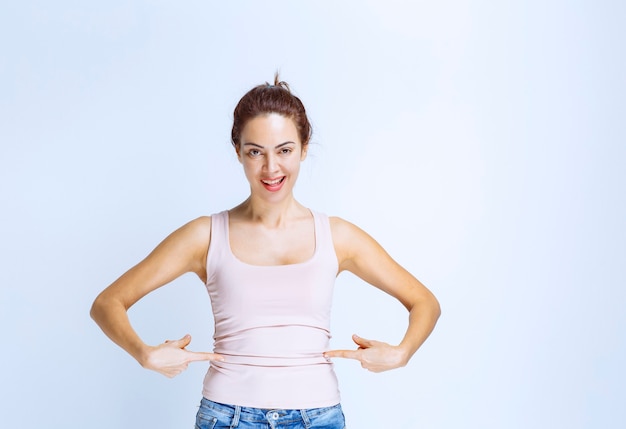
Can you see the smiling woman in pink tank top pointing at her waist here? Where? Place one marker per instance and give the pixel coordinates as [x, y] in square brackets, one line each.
[269, 265]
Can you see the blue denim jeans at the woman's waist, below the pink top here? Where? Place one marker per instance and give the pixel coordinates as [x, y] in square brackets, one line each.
[213, 415]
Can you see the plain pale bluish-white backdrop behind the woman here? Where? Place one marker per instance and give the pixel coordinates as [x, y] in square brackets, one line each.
[481, 142]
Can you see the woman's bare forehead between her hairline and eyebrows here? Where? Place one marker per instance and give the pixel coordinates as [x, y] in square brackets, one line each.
[270, 128]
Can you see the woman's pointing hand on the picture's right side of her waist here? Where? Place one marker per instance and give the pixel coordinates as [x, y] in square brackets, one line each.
[374, 356]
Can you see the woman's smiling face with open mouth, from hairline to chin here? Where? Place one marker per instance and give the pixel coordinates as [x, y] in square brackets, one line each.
[270, 152]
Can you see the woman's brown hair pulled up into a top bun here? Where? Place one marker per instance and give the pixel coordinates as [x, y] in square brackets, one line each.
[265, 99]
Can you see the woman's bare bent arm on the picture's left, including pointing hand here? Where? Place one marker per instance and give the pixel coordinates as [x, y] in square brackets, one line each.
[182, 251]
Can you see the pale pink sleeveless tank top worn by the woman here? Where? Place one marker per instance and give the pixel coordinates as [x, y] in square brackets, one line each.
[272, 325]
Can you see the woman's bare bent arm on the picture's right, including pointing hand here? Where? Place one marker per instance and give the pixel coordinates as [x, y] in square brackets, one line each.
[363, 256]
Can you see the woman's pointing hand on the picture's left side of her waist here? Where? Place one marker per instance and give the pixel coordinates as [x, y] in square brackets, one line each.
[171, 358]
